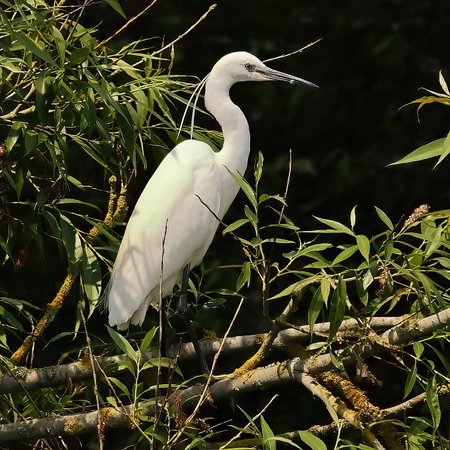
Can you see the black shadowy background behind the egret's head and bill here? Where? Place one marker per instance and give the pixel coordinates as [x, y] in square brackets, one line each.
[371, 61]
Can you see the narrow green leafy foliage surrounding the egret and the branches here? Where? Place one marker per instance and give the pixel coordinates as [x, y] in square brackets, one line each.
[74, 113]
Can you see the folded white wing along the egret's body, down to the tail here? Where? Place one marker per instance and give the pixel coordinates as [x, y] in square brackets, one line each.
[168, 228]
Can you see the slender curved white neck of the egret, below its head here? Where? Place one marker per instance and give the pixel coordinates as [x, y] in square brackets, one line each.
[236, 146]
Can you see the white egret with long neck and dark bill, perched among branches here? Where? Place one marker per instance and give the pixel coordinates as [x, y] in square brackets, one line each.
[175, 218]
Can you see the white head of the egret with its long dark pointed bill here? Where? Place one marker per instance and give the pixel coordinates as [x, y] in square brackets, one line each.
[243, 66]
